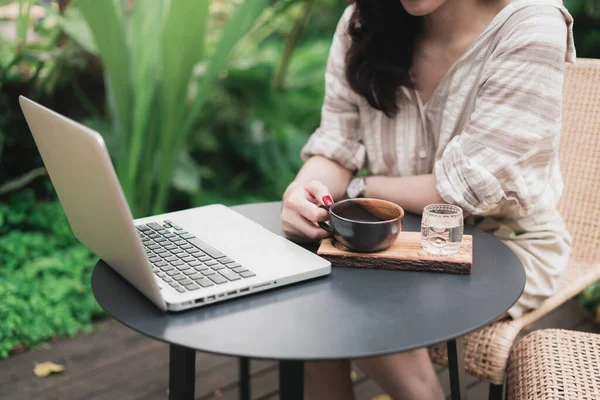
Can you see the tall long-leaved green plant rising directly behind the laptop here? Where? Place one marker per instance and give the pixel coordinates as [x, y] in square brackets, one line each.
[150, 55]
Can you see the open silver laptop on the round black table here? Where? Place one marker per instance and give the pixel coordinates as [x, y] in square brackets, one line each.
[179, 260]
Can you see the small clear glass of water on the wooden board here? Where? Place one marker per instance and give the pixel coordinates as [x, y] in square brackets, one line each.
[442, 229]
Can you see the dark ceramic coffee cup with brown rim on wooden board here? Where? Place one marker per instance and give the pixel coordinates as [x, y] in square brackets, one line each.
[364, 225]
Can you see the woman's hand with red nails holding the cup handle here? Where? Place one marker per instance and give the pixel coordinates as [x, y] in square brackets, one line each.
[301, 212]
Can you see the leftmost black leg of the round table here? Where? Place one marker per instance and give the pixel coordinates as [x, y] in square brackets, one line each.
[182, 372]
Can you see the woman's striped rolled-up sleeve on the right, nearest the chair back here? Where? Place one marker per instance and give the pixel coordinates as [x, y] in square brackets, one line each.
[506, 154]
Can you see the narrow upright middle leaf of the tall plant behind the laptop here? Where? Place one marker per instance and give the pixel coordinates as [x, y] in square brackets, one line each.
[145, 31]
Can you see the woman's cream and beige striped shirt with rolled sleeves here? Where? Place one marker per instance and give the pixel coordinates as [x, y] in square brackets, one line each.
[490, 130]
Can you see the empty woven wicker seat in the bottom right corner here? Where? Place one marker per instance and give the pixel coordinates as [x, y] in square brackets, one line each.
[555, 364]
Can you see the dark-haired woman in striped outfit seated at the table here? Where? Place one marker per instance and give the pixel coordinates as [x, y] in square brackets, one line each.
[455, 101]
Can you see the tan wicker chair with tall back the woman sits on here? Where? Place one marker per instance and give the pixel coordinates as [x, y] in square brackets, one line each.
[487, 350]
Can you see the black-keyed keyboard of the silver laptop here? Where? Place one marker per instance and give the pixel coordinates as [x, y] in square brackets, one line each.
[185, 262]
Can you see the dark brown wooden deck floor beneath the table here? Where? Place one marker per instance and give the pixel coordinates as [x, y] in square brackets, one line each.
[116, 363]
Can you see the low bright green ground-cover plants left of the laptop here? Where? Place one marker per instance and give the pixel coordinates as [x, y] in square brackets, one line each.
[45, 275]
